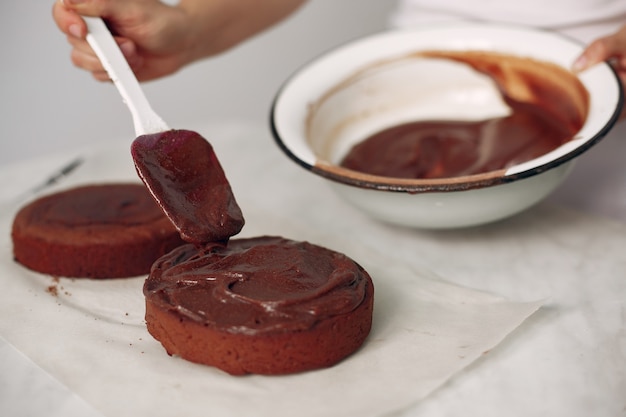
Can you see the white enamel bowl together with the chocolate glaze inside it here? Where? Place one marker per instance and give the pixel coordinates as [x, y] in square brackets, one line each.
[445, 126]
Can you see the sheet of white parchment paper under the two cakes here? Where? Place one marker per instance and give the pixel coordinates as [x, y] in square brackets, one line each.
[90, 334]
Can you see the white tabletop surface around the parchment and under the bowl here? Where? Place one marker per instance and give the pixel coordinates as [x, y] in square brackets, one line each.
[568, 359]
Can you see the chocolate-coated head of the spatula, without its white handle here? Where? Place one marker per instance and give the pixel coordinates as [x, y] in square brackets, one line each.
[182, 172]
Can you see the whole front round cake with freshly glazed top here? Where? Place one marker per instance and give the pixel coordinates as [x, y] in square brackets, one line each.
[264, 305]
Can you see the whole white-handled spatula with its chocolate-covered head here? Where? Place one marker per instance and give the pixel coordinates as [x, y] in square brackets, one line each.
[179, 167]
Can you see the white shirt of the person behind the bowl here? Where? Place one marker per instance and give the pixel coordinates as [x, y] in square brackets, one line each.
[584, 20]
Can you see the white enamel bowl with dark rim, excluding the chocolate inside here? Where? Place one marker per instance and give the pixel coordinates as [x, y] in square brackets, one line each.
[318, 141]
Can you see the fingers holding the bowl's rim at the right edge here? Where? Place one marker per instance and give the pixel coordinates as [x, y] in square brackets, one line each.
[610, 48]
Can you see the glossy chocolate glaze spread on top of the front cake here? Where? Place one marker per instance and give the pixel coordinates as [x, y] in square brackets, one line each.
[257, 285]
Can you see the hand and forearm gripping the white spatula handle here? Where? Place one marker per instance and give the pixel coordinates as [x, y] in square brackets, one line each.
[158, 39]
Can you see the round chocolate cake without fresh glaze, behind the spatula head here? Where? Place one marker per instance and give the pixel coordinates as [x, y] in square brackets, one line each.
[96, 231]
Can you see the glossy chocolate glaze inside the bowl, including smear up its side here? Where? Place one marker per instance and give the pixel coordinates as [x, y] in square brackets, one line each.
[545, 118]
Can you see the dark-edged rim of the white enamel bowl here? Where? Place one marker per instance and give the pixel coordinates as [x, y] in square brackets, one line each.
[460, 183]
